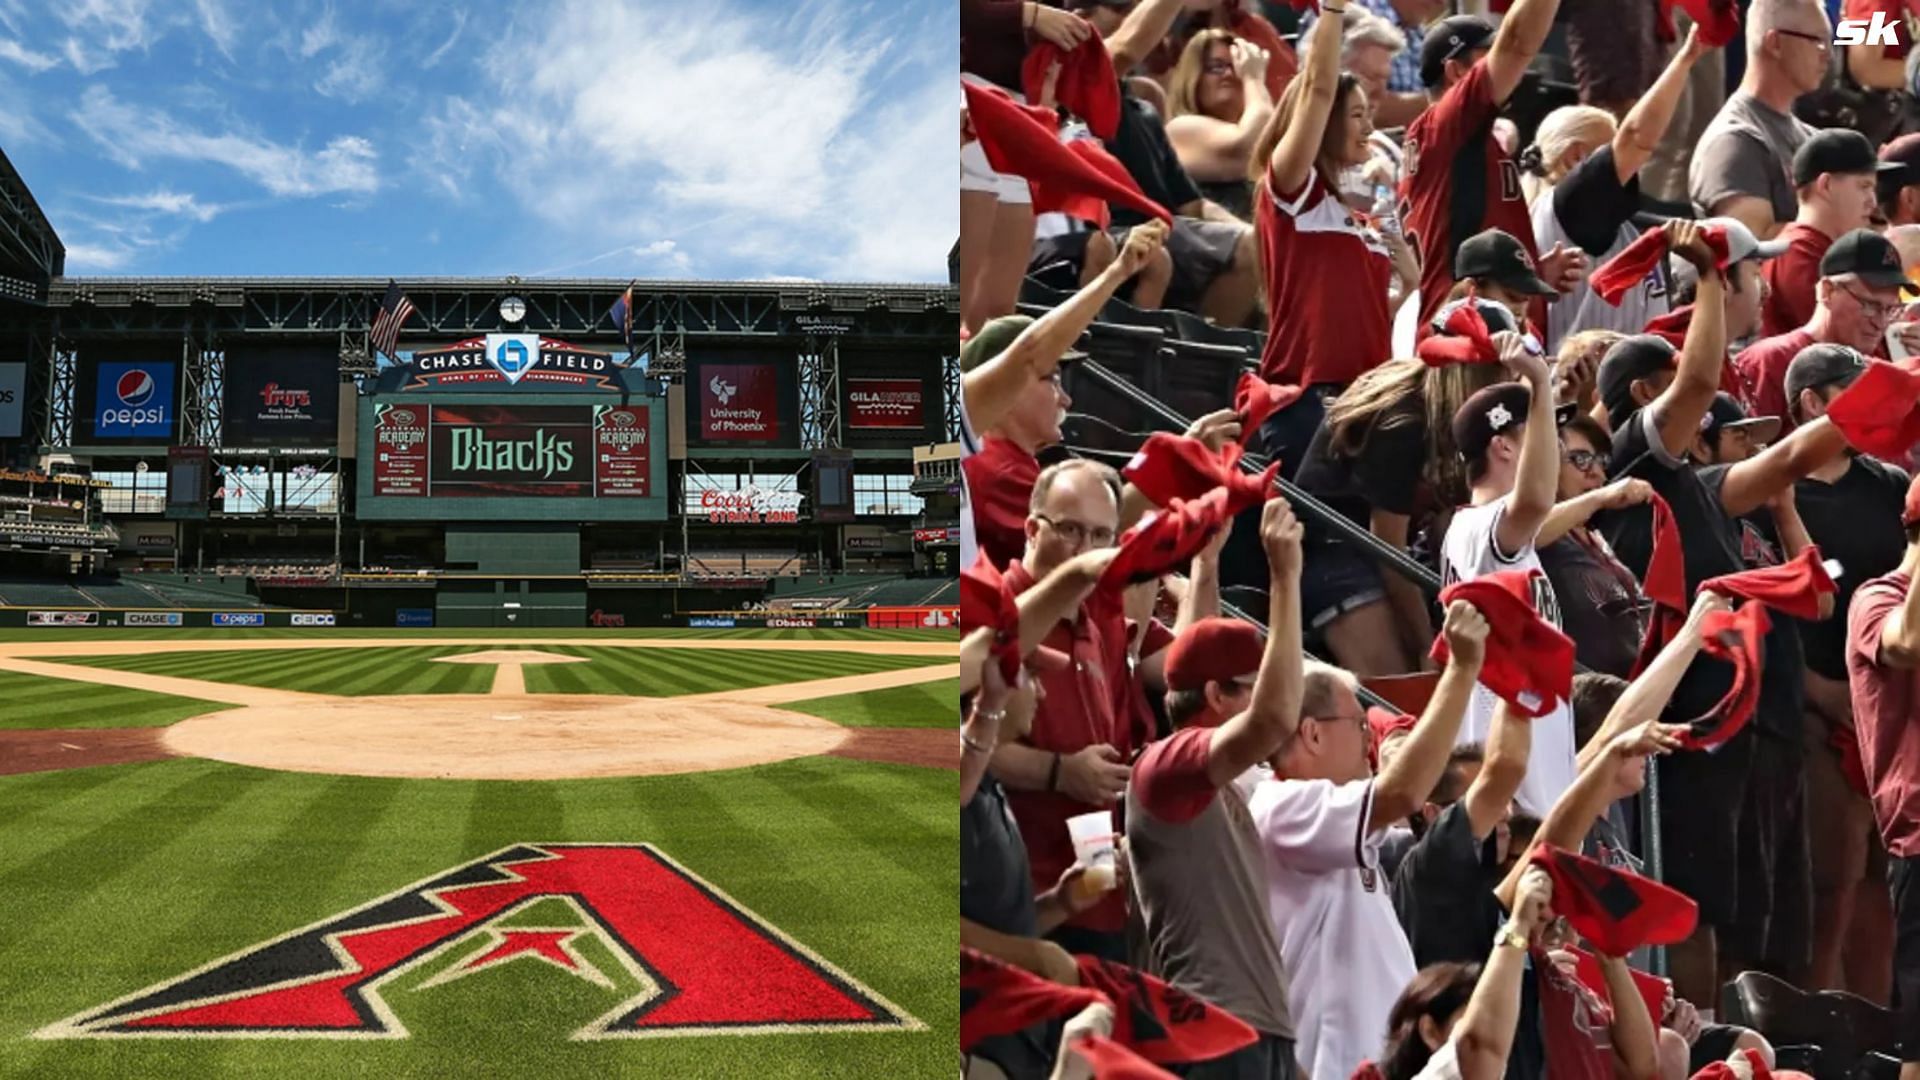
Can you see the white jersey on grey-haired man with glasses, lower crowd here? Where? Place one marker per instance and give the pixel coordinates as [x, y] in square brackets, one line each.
[1341, 943]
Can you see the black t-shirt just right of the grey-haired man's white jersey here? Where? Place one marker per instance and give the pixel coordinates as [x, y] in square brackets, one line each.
[1445, 893]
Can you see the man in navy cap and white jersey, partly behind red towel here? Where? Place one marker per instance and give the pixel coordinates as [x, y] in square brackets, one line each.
[1510, 441]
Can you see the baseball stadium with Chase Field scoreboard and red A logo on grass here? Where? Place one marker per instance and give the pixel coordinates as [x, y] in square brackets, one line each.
[431, 675]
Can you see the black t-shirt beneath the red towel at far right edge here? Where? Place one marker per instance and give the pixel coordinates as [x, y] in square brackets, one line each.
[1856, 520]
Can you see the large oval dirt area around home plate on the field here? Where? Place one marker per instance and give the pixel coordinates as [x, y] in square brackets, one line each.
[539, 737]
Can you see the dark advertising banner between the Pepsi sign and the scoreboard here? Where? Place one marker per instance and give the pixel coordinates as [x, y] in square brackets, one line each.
[281, 397]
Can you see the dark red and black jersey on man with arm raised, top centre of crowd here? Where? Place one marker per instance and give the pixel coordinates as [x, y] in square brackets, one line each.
[1460, 184]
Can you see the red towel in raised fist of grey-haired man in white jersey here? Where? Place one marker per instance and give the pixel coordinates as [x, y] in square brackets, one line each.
[1529, 662]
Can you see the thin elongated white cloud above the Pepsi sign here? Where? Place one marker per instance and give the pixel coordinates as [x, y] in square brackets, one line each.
[135, 135]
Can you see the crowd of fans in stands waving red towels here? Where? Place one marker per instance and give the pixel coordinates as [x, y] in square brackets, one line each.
[1629, 378]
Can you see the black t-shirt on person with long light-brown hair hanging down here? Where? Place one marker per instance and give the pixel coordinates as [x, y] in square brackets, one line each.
[1383, 476]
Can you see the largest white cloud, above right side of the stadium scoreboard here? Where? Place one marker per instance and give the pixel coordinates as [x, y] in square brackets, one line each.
[746, 134]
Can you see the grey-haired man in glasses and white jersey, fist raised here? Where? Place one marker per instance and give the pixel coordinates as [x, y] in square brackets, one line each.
[1322, 822]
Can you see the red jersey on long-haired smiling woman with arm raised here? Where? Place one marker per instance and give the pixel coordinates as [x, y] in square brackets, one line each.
[1328, 276]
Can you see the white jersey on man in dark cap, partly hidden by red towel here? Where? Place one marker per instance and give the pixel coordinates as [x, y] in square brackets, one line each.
[1472, 551]
